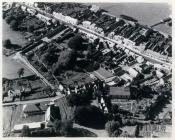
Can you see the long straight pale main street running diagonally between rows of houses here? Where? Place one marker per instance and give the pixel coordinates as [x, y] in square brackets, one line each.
[151, 57]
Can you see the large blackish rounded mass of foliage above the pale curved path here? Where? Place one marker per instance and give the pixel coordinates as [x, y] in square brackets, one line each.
[89, 116]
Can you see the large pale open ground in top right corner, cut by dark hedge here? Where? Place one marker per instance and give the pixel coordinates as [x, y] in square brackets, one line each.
[145, 13]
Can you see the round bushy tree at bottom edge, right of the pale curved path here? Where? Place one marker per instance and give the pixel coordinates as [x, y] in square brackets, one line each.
[111, 126]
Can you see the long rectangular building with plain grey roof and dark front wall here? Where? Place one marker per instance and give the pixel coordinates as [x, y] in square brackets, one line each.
[119, 92]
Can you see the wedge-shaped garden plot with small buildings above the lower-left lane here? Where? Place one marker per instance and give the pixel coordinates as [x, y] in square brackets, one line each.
[33, 89]
